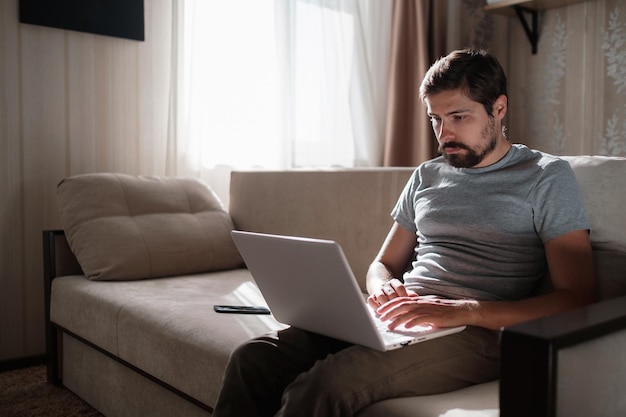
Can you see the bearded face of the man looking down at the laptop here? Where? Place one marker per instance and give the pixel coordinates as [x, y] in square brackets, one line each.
[466, 134]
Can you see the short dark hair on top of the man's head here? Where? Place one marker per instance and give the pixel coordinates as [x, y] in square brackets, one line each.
[477, 73]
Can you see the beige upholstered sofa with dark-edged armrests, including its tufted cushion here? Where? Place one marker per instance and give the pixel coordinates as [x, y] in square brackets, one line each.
[132, 278]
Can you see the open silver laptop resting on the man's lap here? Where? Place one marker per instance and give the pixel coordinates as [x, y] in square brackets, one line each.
[307, 283]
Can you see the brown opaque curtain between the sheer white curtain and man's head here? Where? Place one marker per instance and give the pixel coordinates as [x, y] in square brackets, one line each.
[418, 39]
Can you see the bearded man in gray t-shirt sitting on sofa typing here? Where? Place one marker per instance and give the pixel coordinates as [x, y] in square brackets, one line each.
[475, 231]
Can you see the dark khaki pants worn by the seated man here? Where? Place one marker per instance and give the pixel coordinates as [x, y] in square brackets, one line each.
[294, 373]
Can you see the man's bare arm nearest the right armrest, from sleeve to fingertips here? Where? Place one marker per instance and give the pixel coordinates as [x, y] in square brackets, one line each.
[571, 270]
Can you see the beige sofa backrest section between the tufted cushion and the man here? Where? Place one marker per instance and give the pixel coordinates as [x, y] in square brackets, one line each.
[350, 206]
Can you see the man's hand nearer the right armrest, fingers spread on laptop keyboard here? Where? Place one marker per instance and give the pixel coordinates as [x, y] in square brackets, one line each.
[410, 311]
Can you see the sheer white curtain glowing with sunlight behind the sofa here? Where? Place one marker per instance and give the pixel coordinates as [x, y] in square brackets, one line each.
[279, 83]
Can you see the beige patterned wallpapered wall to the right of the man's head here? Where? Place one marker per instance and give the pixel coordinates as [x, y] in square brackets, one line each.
[570, 97]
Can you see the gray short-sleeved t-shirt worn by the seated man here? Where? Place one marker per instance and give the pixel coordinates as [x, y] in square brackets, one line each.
[481, 231]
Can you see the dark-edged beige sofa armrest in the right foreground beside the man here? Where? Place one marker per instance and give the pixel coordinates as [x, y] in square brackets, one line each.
[570, 360]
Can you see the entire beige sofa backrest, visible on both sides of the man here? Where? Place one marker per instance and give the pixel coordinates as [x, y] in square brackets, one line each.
[352, 206]
